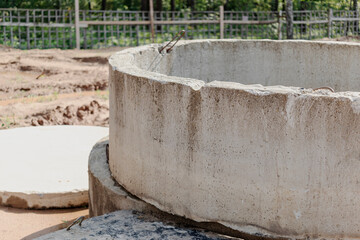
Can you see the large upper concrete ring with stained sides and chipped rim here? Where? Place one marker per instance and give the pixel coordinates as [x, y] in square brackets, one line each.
[276, 161]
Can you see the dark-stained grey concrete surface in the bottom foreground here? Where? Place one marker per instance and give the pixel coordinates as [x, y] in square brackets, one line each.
[129, 225]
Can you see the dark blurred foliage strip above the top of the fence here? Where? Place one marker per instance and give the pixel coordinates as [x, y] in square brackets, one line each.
[176, 5]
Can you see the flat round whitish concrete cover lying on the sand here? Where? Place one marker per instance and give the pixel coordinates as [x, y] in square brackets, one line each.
[46, 167]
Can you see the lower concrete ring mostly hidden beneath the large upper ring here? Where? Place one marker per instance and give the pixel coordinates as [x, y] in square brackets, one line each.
[106, 195]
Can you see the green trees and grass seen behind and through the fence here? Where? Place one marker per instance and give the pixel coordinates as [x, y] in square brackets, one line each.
[101, 36]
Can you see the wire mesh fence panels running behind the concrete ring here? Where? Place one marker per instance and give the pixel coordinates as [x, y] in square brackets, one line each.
[27, 29]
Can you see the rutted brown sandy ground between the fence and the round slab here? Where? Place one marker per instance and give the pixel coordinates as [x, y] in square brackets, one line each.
[51, 87]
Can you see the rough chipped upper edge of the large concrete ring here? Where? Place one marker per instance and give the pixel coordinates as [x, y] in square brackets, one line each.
[124, 62]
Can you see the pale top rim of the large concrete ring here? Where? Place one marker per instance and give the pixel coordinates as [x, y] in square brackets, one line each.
[124, 62]
